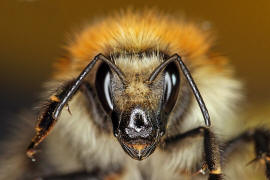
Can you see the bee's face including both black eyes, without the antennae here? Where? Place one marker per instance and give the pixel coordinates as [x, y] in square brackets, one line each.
[138, 109]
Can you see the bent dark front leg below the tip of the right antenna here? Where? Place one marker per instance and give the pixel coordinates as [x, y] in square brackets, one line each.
[211, 149]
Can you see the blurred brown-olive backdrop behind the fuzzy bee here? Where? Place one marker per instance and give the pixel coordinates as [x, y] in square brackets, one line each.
[33, 32]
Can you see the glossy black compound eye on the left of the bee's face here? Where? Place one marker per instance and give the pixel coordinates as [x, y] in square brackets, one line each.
[103, 87]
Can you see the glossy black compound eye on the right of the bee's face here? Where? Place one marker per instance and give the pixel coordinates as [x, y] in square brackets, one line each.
[171, 86]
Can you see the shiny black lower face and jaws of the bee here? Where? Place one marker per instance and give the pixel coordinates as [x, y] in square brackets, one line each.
[138, 131]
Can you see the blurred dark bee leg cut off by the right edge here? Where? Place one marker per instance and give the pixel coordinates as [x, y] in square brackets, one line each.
[261, 140]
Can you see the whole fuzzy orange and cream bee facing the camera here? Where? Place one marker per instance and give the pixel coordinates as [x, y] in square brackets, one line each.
[132, 99]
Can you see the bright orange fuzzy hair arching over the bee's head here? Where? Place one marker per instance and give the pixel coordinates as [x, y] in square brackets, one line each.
[134, 32]
